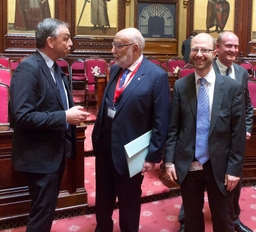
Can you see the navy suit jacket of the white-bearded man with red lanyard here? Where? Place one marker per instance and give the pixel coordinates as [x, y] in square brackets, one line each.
[144, 106]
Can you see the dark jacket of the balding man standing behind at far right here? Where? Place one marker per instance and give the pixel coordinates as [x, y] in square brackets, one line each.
[241, 76]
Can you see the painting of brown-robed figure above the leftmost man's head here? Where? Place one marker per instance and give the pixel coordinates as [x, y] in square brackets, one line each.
[24, 15]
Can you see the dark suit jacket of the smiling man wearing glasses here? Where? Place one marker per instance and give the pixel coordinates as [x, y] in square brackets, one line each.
[227, 128]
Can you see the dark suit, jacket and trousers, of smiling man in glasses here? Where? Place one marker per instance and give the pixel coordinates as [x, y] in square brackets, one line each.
[226, 145]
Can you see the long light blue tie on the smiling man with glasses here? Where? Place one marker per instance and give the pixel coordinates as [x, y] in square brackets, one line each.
[202, 124]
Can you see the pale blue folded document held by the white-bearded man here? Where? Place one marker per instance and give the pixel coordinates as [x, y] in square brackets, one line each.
[136, 152]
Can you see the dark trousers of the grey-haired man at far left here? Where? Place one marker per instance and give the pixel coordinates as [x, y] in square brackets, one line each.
[44, 190]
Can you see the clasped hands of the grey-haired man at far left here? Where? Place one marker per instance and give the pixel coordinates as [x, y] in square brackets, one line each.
[76, 115]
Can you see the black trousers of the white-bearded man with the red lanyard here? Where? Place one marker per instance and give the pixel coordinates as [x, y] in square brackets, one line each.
[109, 185]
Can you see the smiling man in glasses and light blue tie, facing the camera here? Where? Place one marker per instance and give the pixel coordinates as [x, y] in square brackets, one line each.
[223, 149]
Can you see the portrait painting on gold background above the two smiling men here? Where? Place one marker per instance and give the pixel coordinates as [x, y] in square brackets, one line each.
[214, 16]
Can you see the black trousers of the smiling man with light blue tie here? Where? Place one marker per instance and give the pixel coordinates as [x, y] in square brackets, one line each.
[192, 189]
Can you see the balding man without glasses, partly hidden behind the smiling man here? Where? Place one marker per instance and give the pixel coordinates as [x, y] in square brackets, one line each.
[227, 49]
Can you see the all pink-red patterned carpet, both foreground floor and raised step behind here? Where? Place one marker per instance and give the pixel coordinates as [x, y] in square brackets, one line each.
[160, 207]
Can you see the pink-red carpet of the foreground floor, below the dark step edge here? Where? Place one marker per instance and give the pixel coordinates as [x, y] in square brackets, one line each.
[157, 216]
